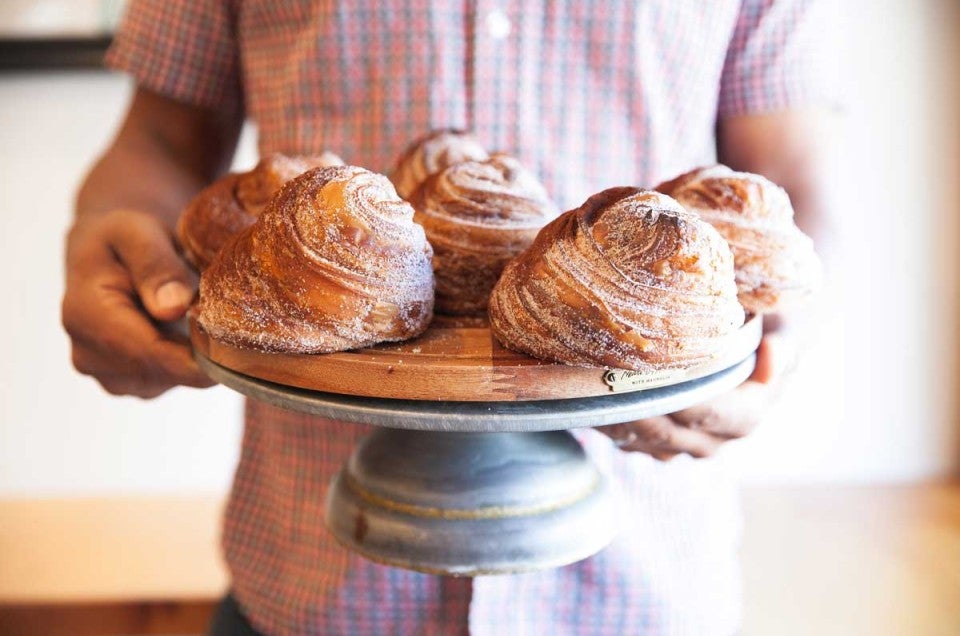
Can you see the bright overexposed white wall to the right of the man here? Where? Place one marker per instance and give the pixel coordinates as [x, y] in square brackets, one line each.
[876, 399]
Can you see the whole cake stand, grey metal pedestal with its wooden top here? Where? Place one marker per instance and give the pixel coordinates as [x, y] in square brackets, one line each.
[472, 469]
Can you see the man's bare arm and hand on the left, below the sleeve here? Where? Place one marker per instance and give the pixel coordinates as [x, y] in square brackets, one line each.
[125, 278]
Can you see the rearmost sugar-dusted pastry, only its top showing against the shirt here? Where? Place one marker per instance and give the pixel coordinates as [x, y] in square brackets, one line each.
[431, 154]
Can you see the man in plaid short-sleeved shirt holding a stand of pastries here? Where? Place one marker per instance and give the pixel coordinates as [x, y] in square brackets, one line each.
[587, 94]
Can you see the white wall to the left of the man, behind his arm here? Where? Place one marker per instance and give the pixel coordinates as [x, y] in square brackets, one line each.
[59, 433]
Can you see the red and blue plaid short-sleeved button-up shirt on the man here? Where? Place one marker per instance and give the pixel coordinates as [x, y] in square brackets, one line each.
[588, 94]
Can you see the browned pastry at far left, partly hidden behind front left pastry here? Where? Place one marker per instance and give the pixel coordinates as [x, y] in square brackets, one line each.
[233, 202]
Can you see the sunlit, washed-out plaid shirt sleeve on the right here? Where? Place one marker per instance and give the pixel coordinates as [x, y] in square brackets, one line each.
[777, 58]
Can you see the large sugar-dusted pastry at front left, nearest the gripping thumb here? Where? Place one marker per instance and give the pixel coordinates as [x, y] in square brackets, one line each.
[334, 262]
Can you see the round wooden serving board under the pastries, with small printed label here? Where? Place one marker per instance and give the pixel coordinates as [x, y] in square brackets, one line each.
[454, 360]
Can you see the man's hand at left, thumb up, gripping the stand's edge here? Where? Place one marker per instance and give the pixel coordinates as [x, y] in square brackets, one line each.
[124, 281]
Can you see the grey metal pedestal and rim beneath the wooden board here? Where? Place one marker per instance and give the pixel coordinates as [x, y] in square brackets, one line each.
[474, 488]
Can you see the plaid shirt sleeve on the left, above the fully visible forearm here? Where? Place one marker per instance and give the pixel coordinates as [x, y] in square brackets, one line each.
[183, 49]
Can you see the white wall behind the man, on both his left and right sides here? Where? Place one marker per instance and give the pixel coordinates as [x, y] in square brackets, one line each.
[872, 404]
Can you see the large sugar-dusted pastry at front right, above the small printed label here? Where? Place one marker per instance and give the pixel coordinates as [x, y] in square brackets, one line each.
[628, 280]
